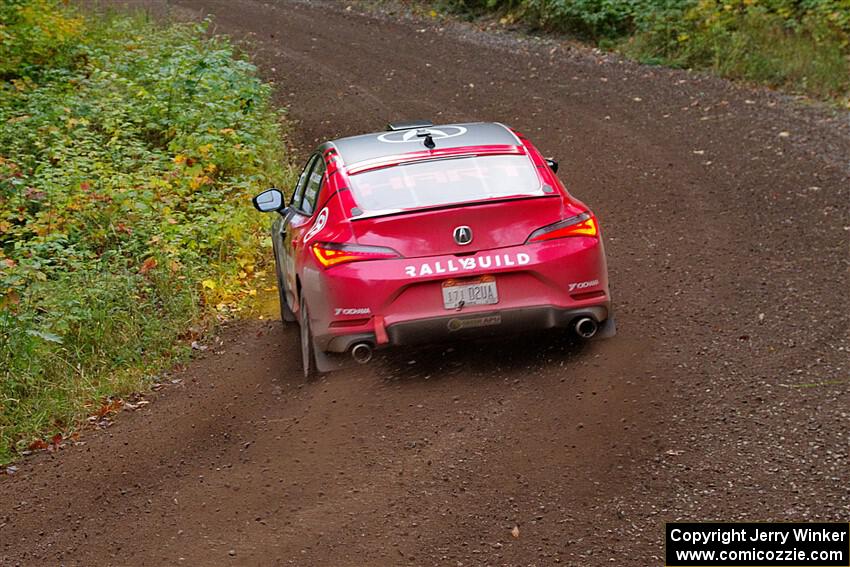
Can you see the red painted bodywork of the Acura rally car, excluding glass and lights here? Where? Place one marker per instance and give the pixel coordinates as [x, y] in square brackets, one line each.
[390, 300]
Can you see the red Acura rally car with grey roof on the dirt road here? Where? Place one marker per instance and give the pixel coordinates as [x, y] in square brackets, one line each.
[431, 233]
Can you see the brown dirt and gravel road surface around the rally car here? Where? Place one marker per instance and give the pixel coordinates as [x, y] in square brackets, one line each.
[726, 395]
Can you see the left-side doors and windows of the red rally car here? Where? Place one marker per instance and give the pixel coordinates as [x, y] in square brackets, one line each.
[300, 219]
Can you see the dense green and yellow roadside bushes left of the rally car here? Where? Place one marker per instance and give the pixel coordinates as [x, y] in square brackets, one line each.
[128, 151]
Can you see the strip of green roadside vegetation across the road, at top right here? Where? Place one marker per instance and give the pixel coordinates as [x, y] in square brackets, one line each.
[801, 46]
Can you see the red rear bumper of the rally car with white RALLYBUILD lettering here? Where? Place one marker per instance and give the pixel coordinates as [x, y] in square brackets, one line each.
[400, 301]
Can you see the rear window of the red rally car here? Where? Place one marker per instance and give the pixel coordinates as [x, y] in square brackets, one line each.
[445, 182]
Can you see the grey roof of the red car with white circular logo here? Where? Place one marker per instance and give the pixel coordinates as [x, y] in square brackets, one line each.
[365, 147]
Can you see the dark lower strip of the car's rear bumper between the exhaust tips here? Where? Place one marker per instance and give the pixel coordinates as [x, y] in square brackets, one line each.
[474, 325]
